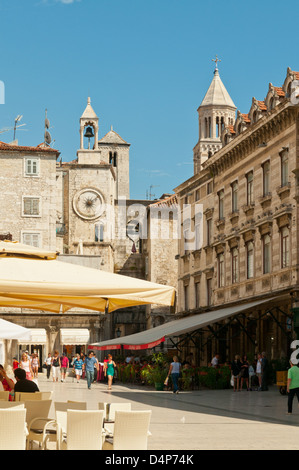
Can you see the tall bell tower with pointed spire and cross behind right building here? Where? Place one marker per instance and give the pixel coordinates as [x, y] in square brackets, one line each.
[215, 112]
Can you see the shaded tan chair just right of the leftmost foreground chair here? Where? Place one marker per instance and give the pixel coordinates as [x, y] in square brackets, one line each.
[37, 419]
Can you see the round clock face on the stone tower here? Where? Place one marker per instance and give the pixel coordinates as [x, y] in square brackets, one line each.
[88, 204]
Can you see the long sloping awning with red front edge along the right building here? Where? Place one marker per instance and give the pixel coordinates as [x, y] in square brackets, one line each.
[153, 337]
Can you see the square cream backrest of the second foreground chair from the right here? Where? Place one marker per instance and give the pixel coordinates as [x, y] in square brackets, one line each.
[84, 429]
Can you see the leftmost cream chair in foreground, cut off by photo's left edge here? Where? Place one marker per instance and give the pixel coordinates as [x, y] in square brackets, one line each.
[13, 429]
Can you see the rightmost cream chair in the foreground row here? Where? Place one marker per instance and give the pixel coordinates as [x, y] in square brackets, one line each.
[131, 431]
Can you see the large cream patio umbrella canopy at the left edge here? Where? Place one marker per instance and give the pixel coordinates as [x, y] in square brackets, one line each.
[34, 278]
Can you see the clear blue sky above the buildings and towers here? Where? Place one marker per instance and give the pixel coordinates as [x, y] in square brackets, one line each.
[146, 66]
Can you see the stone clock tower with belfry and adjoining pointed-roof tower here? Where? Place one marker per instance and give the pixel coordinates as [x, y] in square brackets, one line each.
[92, 186]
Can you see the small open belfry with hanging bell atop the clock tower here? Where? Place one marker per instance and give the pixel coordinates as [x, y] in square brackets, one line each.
[89, 136]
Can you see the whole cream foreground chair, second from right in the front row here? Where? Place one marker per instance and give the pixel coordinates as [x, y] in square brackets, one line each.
[83, 430]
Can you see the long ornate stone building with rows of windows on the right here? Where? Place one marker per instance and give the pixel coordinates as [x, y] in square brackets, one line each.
[248, 192]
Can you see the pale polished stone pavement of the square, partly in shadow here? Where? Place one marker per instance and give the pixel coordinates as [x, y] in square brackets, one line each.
[196, 420]
